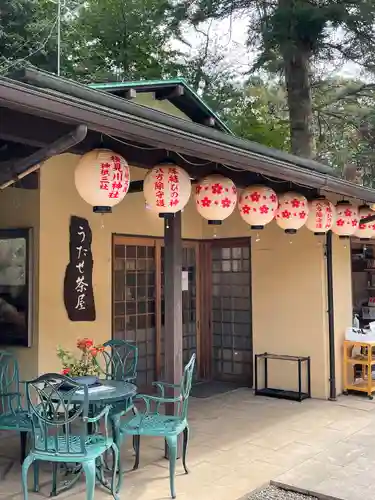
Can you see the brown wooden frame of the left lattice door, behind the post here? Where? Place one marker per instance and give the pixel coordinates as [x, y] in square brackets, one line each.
[158, 242]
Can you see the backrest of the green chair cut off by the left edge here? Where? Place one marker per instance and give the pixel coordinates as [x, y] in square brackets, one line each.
[10, 397]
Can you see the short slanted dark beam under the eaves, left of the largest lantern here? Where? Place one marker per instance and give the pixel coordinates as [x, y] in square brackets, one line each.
[12, 172]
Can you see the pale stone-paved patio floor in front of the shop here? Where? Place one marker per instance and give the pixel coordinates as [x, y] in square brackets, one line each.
[240, 443]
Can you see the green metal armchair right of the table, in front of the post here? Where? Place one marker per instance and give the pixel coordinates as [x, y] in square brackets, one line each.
[151, 422]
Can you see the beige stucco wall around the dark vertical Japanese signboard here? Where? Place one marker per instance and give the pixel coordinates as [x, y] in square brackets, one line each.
[58, 201]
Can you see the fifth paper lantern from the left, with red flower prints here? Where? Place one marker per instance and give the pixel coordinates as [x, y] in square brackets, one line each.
[292, 212]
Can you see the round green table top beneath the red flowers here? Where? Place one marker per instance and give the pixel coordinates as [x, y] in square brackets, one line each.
[115, 391]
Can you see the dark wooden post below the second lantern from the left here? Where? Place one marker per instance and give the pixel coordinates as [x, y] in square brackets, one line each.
[173, 304]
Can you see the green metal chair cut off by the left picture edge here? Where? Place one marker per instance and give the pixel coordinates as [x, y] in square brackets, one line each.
[13, 416]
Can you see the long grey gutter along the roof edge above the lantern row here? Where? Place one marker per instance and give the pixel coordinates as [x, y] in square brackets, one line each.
[69, 87]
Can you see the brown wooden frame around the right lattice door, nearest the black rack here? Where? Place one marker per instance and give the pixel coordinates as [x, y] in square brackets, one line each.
[206, 265]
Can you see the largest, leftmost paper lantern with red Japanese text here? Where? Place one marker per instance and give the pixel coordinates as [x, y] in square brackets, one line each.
[102, 179]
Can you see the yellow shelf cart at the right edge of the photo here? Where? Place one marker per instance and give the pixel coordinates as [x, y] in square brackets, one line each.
[363, 359]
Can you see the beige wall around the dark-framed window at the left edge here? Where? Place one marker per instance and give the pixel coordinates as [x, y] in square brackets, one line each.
[19, 208]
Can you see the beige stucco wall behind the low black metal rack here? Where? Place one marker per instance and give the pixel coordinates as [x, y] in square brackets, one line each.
[289, 300]
